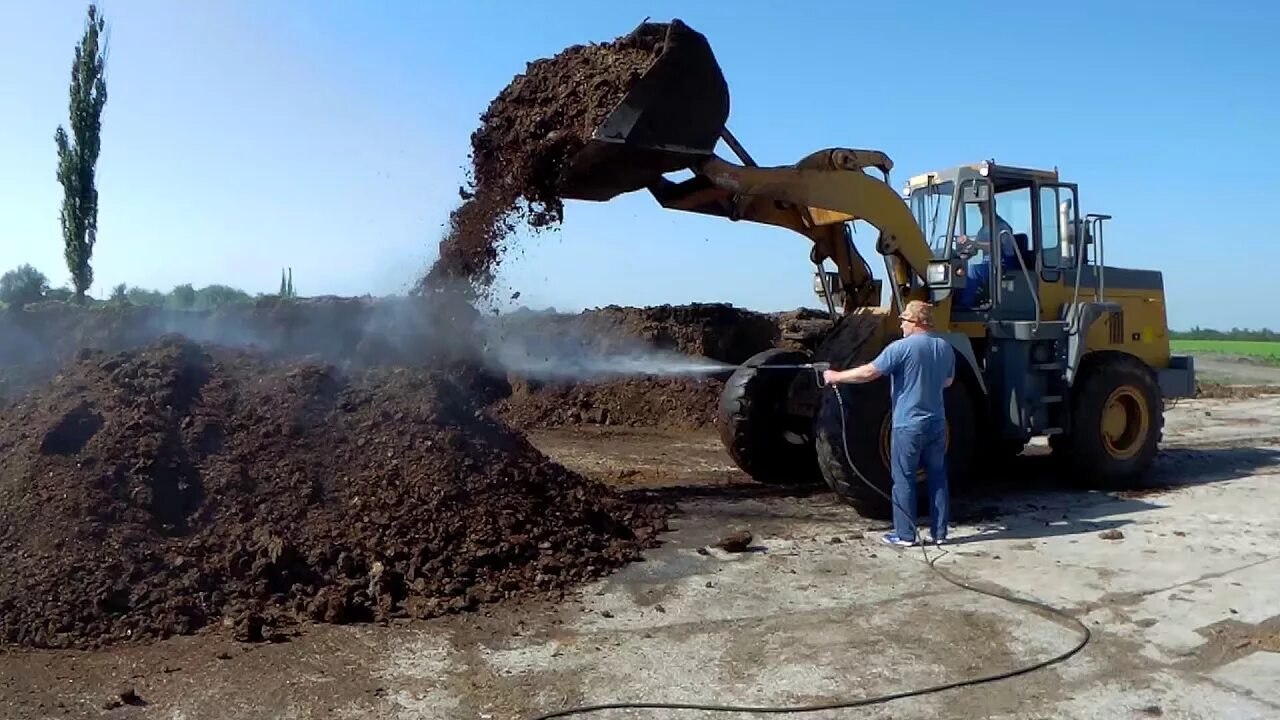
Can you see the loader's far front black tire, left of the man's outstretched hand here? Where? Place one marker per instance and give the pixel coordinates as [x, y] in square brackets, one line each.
[755, 423]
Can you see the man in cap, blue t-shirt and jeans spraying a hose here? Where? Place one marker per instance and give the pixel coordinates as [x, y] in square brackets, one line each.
[920, 367]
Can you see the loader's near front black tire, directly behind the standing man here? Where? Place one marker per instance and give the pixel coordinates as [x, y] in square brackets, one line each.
[867, 421]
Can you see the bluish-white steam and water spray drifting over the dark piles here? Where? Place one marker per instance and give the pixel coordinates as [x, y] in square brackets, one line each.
[412, 332]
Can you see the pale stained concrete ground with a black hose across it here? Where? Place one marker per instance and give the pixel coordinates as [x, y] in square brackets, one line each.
[1177, 582]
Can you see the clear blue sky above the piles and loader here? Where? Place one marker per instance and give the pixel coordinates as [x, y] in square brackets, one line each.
[243, 136]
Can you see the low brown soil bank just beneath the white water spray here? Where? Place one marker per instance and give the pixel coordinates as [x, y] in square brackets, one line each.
[651, 403]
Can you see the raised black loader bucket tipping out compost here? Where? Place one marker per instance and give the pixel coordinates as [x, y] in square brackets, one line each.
[671, 120]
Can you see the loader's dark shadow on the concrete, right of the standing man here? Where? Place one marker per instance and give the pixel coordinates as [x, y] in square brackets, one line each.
[1034, 499]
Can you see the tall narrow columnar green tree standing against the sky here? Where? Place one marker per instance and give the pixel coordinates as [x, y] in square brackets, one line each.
[77, 160]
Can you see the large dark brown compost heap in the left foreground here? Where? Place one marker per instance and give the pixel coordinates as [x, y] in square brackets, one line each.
[177, 487]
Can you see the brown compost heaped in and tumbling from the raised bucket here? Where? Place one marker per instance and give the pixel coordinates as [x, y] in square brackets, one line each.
[525, 138]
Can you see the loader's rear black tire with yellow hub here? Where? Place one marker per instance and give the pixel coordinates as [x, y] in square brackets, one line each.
[1116, 454]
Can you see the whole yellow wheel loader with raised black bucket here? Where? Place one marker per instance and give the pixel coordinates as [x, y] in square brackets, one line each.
[1050, 341]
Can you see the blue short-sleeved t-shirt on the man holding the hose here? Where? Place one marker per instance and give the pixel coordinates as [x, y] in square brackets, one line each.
[918, 367]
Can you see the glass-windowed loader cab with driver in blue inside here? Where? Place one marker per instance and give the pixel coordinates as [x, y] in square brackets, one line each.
[998, 234]
